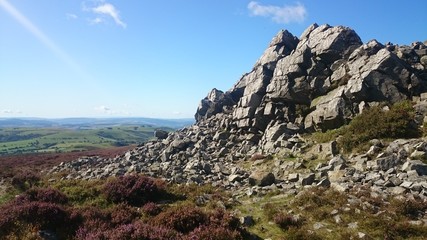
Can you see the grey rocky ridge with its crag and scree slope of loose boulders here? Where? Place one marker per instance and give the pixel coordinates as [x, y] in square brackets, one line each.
[248, 139]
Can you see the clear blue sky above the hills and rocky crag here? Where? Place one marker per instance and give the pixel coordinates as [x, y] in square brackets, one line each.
[106, 58]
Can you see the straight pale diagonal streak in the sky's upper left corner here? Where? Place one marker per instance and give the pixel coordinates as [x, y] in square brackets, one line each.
[45, 40]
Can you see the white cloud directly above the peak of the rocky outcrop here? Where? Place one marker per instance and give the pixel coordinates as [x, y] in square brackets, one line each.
[285, 14]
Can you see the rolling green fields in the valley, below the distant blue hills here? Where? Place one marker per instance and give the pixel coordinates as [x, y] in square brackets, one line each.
[36, 140]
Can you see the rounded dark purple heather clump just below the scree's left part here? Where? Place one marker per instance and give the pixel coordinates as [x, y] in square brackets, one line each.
[132, 189]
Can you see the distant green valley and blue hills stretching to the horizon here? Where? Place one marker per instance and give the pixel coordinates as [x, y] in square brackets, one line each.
[23, 136]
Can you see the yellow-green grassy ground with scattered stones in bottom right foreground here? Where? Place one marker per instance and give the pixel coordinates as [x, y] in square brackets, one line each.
[315, 205]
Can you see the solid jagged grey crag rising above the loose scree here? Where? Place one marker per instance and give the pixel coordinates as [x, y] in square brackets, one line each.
[318, 82]
